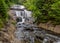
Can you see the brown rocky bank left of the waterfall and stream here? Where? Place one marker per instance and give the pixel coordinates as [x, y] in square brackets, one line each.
[7, 33]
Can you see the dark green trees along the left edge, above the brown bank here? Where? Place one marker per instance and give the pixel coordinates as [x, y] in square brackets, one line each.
[4, 7]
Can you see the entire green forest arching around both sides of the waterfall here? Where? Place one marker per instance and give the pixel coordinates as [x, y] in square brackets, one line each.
[43, 10]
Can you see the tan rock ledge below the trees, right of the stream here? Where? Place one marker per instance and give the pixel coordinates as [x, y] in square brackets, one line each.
[50, 27]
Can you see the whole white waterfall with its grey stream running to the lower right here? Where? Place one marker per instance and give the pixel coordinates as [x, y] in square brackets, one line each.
[22, 34]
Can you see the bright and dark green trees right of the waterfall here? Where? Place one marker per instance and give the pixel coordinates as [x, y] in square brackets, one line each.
[44, 10]
